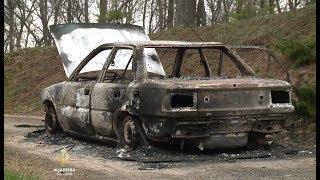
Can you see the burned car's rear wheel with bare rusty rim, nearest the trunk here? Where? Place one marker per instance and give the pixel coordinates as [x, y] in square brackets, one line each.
[130, 136]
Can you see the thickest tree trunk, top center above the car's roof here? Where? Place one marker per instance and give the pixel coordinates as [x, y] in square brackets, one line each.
[185, 12]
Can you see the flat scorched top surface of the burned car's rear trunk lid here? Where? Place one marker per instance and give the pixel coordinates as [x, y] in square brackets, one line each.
[218, 83]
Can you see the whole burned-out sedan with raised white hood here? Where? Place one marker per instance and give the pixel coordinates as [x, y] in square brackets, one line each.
[117, 89]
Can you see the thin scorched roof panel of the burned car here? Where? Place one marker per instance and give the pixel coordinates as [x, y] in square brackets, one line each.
[166, 44]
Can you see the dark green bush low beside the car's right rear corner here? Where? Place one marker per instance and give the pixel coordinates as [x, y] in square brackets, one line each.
[306, 104]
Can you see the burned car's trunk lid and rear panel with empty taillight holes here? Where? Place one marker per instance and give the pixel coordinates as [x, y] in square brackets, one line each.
[220, 97]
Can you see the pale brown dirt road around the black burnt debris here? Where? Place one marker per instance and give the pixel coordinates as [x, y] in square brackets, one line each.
[41, 160]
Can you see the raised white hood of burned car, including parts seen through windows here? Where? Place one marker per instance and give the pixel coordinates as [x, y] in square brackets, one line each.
[76, 40]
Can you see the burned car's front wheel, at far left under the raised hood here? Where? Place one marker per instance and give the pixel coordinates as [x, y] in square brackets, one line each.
[52, 125]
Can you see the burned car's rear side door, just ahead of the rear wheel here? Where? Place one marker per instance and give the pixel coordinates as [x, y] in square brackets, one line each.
[108, 95]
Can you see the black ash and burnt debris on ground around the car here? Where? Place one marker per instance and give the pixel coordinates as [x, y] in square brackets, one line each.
[161, 154]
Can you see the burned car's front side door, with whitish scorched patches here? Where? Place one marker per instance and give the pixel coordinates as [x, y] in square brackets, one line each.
[75, 109]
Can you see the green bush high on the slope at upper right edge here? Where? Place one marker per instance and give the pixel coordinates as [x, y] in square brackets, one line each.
[302, 52]
